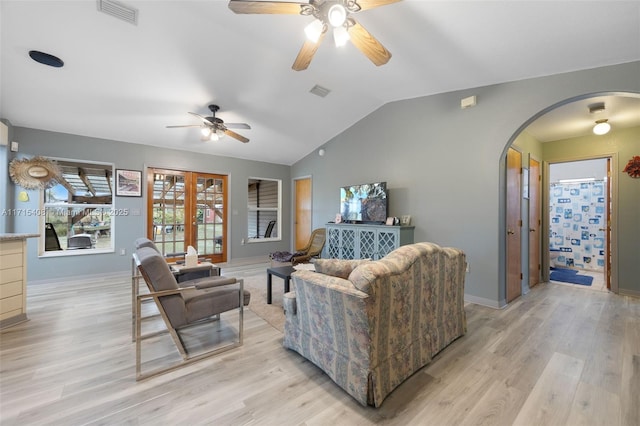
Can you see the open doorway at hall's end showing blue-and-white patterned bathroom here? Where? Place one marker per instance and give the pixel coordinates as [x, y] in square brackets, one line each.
[579, 223]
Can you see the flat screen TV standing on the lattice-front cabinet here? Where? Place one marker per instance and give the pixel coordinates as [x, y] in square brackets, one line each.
[366, 203]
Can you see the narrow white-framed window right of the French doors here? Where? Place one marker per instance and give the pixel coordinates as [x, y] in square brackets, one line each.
[264, 209]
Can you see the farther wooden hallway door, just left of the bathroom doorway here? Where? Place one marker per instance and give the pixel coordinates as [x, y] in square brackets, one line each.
[535, 222]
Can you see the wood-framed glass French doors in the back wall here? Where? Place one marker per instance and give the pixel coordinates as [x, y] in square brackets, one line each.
[187, 209]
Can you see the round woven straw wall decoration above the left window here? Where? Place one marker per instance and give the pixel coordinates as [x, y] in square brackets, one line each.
[34, 173]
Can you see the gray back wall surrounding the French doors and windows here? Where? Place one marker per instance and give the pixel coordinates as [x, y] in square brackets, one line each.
[128, 228]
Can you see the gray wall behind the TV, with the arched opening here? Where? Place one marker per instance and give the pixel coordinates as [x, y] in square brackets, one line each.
[445, 166]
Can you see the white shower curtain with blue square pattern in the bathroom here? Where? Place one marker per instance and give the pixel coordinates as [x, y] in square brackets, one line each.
[577, 215]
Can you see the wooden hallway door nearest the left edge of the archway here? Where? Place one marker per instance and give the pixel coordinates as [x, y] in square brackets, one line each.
[514, 225]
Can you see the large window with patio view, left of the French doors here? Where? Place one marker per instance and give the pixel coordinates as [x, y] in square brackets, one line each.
[78, 214]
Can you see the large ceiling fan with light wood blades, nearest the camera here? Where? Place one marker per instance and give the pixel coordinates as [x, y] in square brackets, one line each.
[335, 14]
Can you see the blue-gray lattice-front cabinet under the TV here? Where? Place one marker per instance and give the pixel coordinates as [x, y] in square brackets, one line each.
[365, 241]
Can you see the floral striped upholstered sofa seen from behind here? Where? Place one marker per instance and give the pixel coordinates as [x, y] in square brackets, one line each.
[371, 324]
